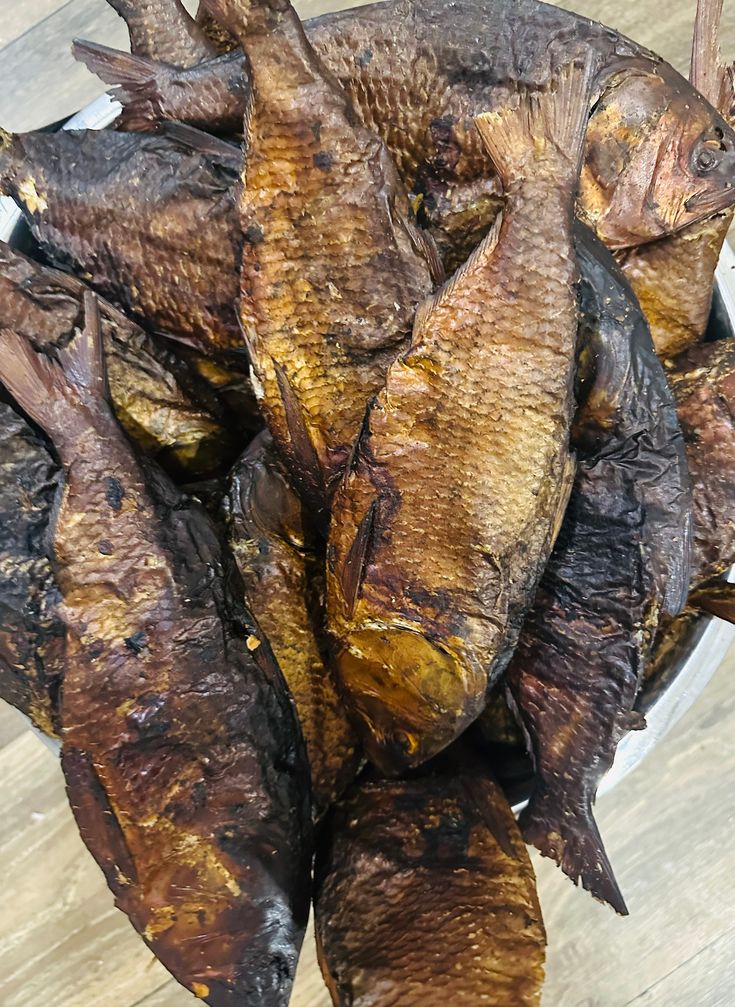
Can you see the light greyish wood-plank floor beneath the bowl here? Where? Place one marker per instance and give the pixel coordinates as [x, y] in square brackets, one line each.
[669, 827]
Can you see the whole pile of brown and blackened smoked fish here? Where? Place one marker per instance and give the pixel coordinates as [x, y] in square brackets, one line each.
[361, 421]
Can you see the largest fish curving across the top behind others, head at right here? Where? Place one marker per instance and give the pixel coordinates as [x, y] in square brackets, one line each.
[649, 164]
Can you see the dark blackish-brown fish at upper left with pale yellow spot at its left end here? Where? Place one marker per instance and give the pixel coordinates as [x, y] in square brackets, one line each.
[148, 221]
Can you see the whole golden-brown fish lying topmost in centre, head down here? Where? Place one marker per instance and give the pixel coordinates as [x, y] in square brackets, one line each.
[448, 514]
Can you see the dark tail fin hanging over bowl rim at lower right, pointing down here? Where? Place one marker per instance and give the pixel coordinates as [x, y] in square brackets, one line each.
[570, 837]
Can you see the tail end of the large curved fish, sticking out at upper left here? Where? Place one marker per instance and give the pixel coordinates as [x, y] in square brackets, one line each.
[152, 92]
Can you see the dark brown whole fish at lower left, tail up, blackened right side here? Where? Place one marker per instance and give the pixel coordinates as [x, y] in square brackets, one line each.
[184, 760]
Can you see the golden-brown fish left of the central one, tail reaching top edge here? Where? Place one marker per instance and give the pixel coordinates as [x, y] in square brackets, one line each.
[333, 265]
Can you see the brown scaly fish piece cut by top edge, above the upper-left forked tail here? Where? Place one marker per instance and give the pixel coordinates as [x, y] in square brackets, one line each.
[164, 30]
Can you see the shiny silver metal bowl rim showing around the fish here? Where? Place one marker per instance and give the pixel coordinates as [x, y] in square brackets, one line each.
[698, 652]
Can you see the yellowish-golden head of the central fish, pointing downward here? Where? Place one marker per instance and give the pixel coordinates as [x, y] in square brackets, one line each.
[410, 696]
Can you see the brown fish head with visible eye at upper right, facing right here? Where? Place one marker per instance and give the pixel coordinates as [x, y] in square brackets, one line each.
[659, 158]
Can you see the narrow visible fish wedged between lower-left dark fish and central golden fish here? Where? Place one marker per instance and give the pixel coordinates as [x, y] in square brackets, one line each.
[282, 573]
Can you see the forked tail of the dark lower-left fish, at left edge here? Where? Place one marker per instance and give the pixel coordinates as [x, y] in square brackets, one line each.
[58, 393]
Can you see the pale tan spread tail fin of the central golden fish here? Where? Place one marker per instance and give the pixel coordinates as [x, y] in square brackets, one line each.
[539, 123]
